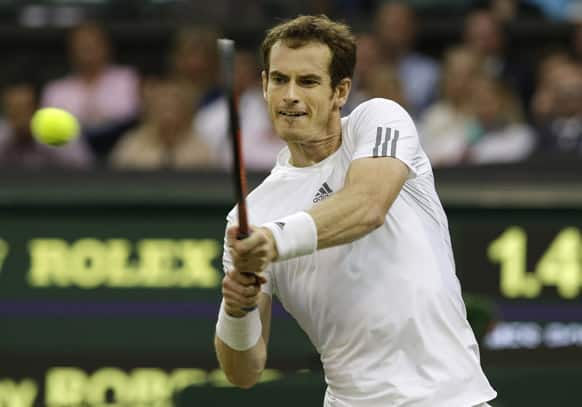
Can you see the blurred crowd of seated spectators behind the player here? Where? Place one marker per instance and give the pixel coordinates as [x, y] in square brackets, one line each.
[476, 104]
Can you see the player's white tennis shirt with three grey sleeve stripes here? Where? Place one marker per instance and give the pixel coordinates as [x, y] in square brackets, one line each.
[385, 312]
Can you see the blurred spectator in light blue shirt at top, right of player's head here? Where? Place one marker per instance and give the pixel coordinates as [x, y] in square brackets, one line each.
[396, 30]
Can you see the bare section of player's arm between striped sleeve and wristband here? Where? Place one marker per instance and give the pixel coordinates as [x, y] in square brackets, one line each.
[371, 186]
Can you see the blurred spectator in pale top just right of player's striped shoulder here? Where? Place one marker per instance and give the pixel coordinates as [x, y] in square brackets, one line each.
[443, 127]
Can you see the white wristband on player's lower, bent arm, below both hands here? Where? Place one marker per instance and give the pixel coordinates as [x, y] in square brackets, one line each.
[239, 333]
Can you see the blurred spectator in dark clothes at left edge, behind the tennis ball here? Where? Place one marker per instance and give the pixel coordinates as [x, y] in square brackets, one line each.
[18, 148]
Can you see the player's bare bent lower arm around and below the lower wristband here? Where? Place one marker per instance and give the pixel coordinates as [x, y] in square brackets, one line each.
[244, 368]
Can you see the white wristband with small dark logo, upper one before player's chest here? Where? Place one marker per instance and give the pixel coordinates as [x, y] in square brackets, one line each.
[295, 235]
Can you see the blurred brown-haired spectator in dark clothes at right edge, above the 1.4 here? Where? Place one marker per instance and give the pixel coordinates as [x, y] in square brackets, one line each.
[559, 115]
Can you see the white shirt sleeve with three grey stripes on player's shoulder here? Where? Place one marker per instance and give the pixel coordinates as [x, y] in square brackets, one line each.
[382, 128]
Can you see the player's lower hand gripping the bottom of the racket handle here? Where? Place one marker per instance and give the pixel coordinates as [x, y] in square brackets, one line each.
[241, 291]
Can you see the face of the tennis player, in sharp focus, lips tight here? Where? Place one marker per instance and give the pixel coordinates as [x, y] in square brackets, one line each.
[298, 91]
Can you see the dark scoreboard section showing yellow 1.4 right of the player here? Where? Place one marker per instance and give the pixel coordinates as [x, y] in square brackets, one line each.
[528, 263]
